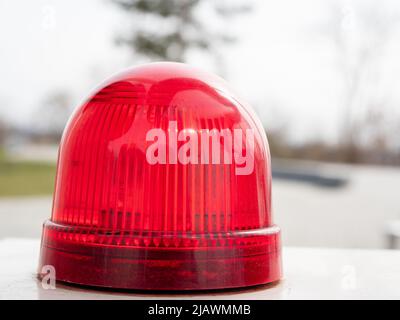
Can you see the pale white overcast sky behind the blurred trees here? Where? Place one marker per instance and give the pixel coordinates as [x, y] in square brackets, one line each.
[283, 62]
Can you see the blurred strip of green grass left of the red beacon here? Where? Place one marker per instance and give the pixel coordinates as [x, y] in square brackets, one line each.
[25, 178]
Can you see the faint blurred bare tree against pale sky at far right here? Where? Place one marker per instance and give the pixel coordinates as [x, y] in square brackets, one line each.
[360, 35]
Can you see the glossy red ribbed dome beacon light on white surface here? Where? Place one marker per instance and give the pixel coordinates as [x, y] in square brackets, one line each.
[163, 183]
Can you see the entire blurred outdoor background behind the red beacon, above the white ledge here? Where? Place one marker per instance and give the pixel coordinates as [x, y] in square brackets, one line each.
[323, 76]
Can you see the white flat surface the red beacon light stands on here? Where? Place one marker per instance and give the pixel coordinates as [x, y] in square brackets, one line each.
[309, 274]
